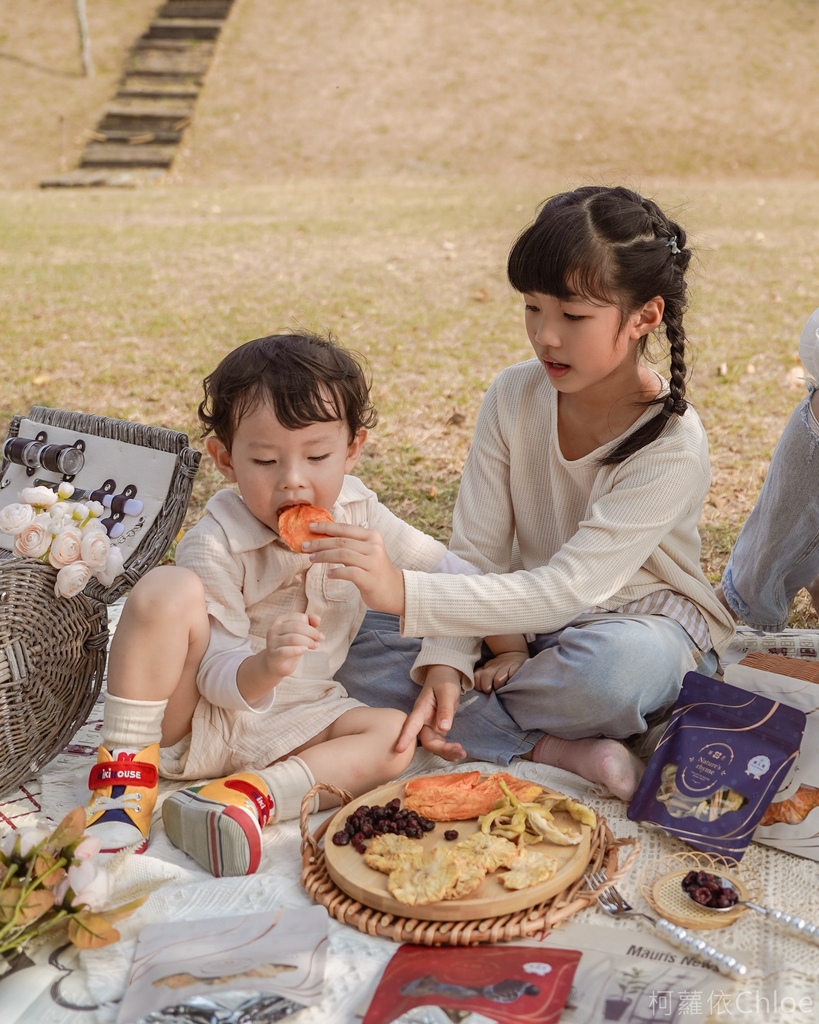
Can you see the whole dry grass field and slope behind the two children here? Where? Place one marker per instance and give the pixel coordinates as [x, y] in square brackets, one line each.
[363, 167]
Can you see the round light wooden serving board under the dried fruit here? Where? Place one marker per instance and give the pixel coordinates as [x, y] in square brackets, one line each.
[348, 869]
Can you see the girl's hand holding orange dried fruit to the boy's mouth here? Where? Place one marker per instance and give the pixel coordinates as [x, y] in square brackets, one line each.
[360, 556]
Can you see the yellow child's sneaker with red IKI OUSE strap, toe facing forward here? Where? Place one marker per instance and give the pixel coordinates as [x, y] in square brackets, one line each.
[125, 791]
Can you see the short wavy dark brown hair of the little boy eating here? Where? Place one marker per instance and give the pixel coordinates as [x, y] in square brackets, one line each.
[303, 377]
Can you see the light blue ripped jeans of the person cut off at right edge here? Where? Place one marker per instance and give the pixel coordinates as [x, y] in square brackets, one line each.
[778, 550]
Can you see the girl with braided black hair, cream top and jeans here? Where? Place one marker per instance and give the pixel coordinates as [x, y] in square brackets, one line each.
[580, 503]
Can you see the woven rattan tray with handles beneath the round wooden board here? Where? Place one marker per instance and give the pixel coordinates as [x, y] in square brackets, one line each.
[605, 855]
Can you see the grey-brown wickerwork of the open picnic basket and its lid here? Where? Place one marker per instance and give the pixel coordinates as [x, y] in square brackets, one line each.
[53, 651]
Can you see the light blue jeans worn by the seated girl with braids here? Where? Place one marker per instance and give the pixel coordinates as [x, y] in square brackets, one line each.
[607, 676]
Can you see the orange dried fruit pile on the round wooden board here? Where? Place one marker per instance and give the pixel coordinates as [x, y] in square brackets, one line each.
[460, 796]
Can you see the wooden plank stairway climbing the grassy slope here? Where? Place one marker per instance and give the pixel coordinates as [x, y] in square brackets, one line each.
[139, 136]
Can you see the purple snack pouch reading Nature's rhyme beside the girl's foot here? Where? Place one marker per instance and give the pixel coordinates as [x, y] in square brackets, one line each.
[721, 760]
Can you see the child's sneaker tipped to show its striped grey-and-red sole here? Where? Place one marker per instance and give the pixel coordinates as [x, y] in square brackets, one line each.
[220, 825]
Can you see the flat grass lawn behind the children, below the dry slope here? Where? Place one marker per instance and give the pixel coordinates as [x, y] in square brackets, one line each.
[120, 303]
